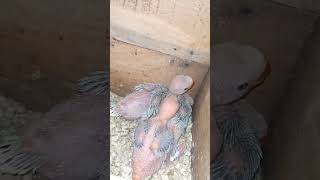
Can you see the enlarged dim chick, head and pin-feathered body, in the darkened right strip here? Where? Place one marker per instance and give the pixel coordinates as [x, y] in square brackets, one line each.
[237, 154]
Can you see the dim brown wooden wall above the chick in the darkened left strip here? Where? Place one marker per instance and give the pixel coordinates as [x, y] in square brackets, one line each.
[46, 45]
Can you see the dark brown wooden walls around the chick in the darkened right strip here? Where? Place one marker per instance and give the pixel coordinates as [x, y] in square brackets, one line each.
[287, 33]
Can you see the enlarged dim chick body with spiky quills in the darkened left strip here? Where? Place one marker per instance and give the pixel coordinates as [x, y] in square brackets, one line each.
[73, 131]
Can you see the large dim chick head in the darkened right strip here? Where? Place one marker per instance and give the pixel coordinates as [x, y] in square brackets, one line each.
[237, 69]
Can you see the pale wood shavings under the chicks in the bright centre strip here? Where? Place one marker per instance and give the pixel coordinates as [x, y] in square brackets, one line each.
[121, 148]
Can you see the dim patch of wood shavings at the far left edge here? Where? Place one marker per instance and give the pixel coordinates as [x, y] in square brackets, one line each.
[14, 116]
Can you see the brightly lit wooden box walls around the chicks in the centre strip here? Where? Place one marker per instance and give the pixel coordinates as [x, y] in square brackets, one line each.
[152, 41]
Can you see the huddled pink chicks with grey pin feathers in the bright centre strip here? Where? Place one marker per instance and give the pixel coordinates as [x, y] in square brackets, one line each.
[163, 115]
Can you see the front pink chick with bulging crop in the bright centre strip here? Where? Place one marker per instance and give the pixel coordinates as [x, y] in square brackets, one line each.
[156, 140]
